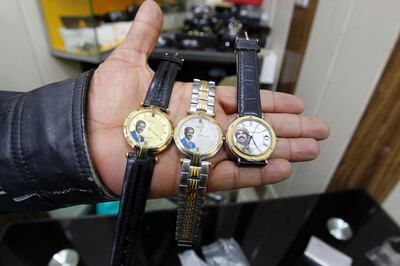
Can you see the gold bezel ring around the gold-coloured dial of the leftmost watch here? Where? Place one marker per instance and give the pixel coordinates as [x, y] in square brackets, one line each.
[138, 146]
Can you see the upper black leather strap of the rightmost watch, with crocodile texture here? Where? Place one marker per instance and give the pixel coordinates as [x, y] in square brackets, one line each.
[248, 96]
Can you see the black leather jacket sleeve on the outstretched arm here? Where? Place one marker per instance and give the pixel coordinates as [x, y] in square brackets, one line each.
[44, 158]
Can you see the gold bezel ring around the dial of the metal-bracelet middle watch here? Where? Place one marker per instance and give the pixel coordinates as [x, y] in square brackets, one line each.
[210, 154]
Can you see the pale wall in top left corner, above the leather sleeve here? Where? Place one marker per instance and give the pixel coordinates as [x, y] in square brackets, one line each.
[26, 62]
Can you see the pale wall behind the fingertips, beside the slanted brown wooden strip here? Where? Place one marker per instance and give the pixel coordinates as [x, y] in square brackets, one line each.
[349, 46]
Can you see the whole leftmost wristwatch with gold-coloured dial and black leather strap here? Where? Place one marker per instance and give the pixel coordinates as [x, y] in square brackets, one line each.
[148, 131]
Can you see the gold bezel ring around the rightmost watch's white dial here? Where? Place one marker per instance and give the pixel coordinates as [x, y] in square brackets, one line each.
[229, 139]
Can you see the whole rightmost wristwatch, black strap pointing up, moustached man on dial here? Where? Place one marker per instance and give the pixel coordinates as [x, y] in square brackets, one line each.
[249, 137]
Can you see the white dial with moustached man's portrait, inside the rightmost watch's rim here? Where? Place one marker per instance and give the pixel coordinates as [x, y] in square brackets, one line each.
[252, 138]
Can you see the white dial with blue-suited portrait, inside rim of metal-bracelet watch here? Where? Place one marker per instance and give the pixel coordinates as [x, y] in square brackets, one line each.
[199, 135]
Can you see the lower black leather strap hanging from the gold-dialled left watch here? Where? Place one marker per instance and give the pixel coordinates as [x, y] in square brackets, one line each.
[135, 188]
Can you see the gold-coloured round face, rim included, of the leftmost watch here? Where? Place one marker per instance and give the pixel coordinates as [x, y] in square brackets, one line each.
[148, 127]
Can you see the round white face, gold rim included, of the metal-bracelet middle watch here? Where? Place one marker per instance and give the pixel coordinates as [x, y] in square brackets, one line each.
[198, 134]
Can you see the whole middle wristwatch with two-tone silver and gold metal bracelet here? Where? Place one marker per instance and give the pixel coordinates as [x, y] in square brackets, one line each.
[199, 137]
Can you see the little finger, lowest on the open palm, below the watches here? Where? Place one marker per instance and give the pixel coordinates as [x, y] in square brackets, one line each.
[227, 175]
